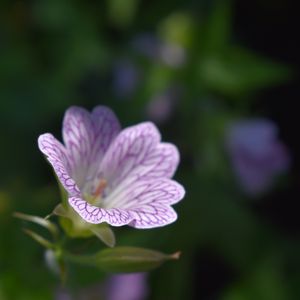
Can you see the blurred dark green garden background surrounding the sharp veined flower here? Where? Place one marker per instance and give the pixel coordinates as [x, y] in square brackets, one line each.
[192, 67]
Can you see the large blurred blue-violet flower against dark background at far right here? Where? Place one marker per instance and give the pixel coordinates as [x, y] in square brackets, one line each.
[257, 154]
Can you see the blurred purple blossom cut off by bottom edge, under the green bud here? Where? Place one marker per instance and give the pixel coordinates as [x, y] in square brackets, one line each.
[127, 287]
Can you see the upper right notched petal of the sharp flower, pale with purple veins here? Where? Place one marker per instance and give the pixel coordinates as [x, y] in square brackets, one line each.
[150, 160]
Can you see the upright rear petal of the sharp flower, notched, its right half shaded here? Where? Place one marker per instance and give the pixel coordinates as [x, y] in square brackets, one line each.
[87, 137]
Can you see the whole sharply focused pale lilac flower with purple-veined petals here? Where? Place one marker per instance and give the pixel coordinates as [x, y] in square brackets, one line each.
[121, 177]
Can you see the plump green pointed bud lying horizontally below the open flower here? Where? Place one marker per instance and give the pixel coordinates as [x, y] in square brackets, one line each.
[131, 259]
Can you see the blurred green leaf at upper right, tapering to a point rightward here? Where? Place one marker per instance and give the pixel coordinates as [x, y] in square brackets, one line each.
[237, 71]
